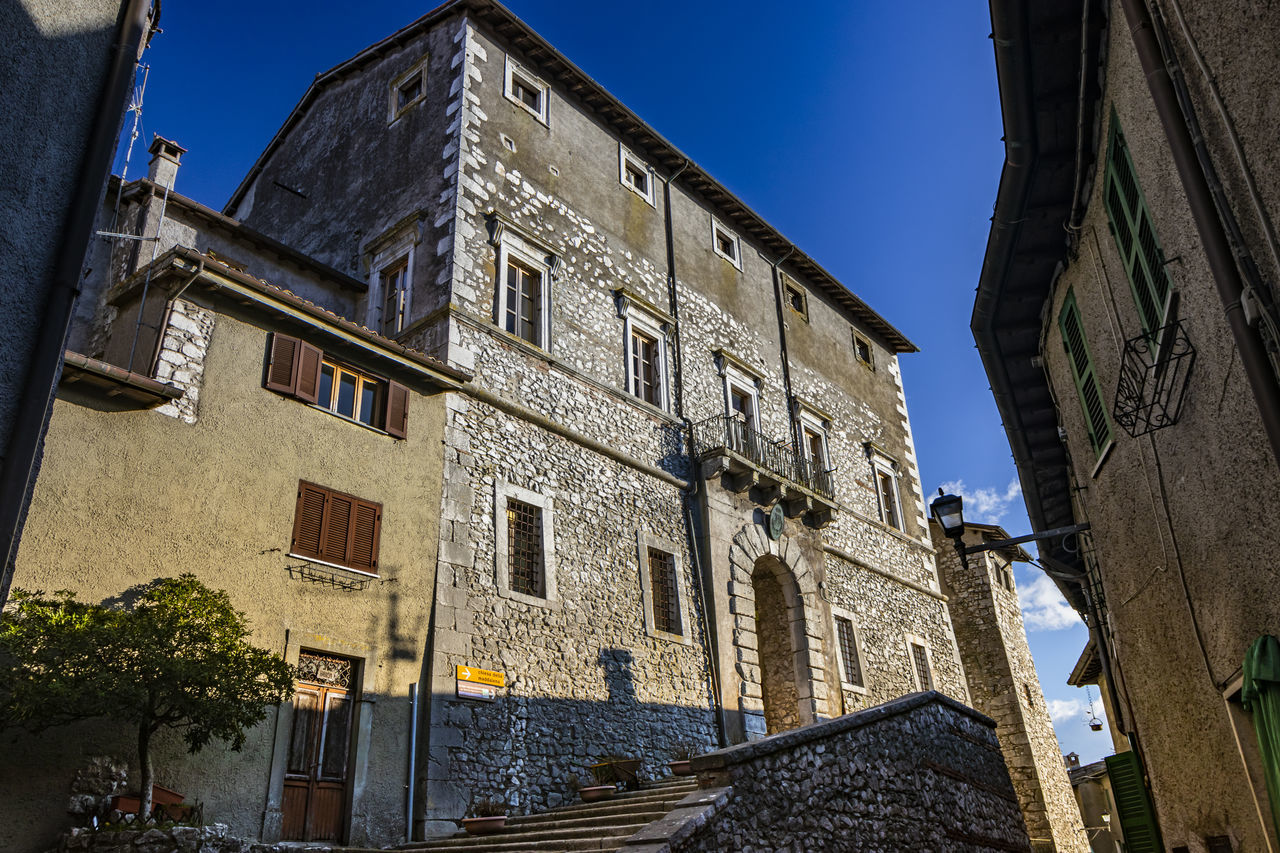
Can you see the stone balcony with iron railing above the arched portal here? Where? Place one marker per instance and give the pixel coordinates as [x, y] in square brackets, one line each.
[751, 460]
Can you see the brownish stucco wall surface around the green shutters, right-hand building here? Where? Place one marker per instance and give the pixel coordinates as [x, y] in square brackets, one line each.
[1182, 545]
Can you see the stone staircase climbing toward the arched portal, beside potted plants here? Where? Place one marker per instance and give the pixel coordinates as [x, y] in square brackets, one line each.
[584, 827]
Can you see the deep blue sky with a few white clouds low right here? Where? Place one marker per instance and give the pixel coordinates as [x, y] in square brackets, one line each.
[867, 133]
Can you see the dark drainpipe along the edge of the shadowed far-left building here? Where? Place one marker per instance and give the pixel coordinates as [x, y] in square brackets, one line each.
[24, 451]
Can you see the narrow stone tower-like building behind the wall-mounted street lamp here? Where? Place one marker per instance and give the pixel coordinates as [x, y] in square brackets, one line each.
[1003, 682]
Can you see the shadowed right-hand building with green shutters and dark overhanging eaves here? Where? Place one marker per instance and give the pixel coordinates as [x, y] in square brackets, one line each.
[1126, 320]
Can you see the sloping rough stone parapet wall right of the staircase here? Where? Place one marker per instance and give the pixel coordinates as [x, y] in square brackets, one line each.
[918, 774]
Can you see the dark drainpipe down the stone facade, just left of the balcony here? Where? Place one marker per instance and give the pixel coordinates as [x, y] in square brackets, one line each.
[688, 496]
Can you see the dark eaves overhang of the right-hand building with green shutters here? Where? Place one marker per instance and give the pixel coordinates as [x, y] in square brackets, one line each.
[1050, 147]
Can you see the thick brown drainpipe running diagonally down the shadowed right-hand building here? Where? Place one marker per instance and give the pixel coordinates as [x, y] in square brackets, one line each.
[1213, 234]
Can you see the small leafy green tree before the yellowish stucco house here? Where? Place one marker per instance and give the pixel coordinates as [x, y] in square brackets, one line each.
[177, 658]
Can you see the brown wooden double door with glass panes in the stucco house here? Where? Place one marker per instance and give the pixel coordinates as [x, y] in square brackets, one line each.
[317, 774]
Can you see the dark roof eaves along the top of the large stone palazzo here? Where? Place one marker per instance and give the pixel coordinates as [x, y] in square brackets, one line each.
[638, 135]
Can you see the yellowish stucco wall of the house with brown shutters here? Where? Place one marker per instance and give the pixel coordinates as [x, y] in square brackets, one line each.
[130, 496]
